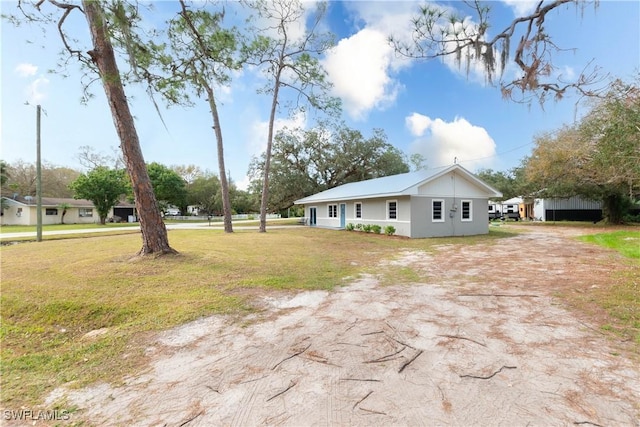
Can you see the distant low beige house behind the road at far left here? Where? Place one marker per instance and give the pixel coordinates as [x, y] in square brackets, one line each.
[23, 211]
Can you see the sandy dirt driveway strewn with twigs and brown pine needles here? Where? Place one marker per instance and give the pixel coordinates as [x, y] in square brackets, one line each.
[480, 341]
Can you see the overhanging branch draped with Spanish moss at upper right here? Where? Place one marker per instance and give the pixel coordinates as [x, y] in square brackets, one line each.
[463, 33]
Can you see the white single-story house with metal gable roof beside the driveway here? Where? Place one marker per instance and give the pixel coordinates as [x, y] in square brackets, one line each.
[447, 201]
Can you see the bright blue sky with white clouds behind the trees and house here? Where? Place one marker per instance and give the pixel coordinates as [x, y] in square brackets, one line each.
[426, 107]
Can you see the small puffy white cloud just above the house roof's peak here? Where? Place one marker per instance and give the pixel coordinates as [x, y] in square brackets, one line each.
[443, 142]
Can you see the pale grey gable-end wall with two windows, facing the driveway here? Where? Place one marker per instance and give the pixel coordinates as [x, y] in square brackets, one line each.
[453, 225]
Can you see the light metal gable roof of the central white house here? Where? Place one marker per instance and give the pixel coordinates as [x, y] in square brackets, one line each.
[393, 185]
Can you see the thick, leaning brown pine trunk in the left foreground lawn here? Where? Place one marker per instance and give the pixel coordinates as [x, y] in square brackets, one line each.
[154, 232]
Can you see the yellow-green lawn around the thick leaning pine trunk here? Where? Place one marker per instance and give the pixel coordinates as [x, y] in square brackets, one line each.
[55, 292]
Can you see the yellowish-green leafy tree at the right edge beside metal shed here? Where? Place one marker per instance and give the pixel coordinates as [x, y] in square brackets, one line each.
[597, 158]
